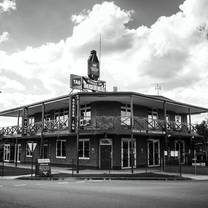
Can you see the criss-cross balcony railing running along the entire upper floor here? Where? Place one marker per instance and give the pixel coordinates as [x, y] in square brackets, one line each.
[103, 123]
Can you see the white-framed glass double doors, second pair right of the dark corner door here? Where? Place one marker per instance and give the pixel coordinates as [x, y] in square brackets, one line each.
[153, 152]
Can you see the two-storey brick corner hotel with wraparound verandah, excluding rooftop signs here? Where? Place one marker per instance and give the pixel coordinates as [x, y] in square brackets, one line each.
[102, 130]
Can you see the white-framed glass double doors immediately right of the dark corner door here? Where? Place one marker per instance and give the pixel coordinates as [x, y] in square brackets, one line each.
[126, 153]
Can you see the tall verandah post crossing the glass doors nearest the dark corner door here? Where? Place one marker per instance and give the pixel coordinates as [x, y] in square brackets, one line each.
[132, 138]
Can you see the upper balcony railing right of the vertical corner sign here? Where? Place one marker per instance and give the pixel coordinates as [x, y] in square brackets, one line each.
[140, 125]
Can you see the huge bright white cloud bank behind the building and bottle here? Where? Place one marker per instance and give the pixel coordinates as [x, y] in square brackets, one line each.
[173, 52]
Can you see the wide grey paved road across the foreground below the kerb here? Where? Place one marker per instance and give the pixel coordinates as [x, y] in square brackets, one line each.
[82, 194]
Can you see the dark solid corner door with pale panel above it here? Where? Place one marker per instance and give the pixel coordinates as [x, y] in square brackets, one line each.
[105, 154]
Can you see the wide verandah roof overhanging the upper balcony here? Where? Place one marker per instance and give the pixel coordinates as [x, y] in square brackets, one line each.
[150, 101]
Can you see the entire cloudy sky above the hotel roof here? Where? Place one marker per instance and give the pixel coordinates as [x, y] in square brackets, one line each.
[144, 42]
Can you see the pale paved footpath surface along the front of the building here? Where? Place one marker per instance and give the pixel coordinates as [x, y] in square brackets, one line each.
[89, 172]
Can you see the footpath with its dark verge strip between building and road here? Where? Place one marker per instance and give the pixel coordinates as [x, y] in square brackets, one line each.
[61, 173]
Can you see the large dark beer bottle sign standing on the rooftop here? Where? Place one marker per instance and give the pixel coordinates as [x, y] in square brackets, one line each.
[93, 66]
